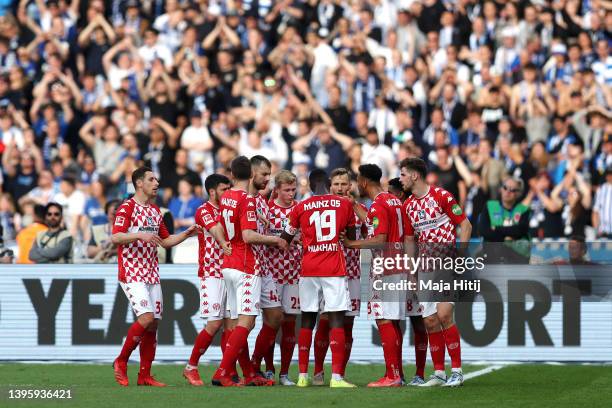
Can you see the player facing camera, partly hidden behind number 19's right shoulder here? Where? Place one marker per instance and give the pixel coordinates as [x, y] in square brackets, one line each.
[341, 186]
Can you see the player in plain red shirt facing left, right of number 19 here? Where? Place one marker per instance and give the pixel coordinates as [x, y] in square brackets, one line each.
[385, 231]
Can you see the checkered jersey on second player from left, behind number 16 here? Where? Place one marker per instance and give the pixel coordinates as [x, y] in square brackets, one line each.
[209, 251]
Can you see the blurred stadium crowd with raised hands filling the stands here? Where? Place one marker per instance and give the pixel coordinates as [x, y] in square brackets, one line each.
[90, 90]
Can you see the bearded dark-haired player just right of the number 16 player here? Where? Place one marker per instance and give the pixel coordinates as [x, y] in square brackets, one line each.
[271, 309]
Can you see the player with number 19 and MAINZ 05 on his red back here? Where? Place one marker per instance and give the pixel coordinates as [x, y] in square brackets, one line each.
[321, 219]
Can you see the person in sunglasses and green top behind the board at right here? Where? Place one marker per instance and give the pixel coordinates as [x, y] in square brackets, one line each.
[507, 220]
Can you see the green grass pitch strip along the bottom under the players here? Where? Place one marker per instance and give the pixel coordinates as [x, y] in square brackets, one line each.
[513, 386]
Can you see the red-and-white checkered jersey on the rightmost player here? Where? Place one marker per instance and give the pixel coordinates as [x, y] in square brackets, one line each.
[433, 217]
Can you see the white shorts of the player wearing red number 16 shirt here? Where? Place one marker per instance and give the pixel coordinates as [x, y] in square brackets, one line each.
[243, 293]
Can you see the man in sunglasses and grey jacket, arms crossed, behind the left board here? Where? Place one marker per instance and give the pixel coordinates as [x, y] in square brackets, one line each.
[55, 244]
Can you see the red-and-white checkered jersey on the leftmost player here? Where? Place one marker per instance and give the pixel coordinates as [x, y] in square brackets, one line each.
[138, 260]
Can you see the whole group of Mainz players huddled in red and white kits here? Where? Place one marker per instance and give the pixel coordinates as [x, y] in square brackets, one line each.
[280, 258]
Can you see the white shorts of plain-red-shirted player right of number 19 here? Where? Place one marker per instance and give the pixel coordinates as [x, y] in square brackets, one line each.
[387, 304]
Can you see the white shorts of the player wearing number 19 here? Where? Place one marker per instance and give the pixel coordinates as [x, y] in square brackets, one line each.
[332, 290]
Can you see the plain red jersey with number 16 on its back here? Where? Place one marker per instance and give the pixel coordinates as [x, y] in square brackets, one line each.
[237, 213]
